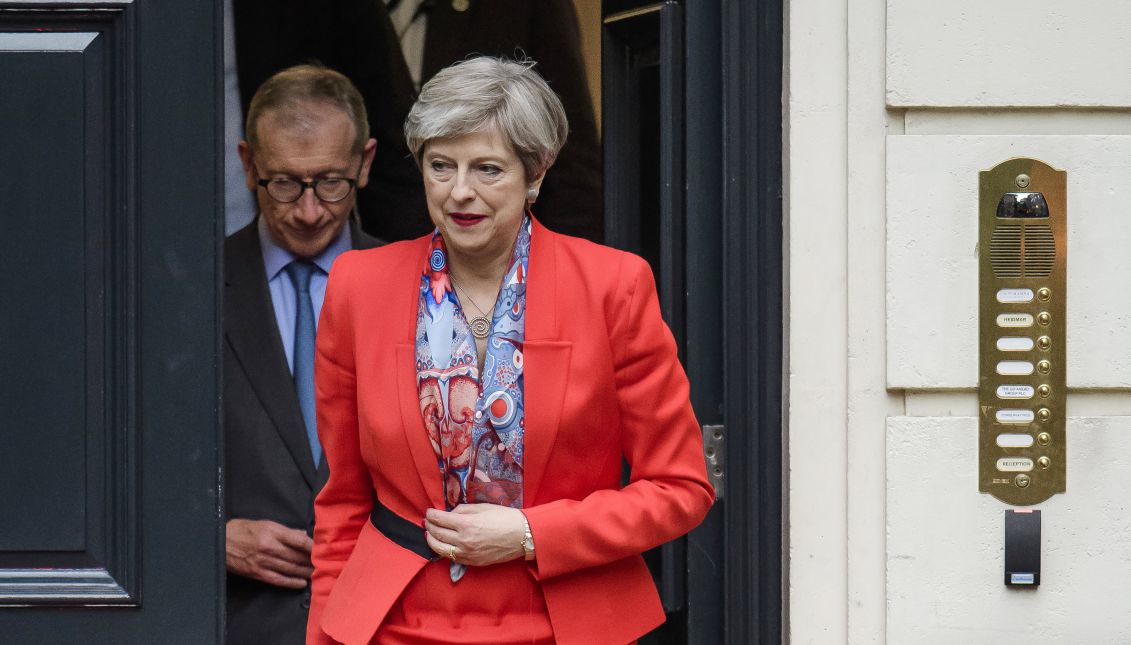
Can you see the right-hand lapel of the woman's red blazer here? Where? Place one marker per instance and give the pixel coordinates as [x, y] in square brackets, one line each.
[547, 363]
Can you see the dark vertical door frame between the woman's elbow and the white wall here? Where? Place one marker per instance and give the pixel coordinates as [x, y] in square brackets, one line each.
[735, 64]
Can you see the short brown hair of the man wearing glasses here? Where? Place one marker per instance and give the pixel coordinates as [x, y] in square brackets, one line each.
[290, 94]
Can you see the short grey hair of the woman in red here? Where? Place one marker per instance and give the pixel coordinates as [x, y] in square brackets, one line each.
[484, 93]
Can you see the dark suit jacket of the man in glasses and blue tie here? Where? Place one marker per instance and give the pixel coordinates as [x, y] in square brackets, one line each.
[269, 469]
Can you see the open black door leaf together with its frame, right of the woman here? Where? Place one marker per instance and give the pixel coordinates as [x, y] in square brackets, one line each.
[693, 135]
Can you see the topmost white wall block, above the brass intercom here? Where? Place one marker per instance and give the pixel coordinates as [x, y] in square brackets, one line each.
[1008, 54]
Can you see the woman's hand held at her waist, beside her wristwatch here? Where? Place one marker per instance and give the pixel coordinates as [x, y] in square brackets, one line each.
[482, 534]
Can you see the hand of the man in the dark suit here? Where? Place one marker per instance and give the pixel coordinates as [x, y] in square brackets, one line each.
[270, 553]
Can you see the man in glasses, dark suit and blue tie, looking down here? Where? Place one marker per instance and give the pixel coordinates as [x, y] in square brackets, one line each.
[307, 154]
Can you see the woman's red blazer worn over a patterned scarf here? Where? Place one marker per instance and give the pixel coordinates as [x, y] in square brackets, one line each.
[602, 384]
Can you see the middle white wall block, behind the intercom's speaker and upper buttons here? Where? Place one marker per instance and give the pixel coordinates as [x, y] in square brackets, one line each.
[933, 254]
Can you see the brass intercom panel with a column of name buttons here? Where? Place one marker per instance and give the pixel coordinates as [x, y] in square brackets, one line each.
[1022, 331]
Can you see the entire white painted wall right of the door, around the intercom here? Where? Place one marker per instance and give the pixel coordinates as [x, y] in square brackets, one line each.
[893, 107]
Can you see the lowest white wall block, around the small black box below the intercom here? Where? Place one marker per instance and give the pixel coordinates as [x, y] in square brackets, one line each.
[945, 543]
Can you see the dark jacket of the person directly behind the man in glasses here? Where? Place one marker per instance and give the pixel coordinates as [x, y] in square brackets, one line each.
[357, 39]
